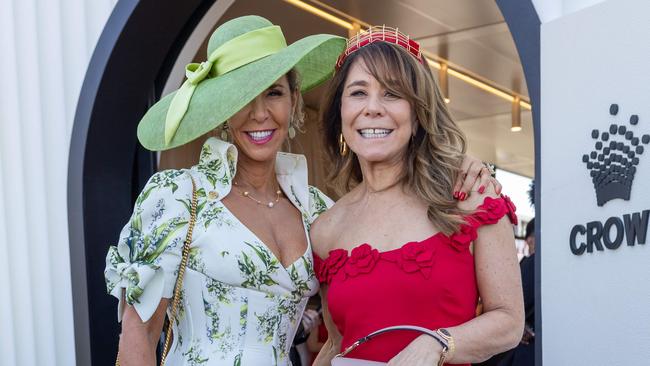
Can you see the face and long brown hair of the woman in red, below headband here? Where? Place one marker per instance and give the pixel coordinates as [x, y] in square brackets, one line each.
[395, 95]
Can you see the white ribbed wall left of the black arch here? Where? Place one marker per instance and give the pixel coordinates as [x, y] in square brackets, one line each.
[45, 48]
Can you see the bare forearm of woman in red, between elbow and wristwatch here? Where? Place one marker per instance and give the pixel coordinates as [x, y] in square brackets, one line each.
[490, 333]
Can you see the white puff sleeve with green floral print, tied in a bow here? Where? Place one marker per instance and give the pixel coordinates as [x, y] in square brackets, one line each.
[144, 263]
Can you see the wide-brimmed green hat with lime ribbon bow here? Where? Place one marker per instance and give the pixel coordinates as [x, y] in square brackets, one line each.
[246, 55]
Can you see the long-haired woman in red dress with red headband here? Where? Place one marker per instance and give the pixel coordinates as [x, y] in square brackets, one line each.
[397, 248]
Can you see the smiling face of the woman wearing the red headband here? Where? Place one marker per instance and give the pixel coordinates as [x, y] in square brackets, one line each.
[377, 123]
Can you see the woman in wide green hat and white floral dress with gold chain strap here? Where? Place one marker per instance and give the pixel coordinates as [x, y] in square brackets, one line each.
[223, 247]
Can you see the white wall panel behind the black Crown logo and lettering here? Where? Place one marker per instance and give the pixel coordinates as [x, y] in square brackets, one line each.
[594, 306]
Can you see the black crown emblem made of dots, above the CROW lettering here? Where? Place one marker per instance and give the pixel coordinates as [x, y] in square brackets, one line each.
[613, 163]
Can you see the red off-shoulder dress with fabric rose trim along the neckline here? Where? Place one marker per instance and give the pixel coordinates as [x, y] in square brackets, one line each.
[430, 283]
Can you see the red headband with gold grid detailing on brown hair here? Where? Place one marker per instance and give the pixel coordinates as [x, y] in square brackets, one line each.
[380, 34]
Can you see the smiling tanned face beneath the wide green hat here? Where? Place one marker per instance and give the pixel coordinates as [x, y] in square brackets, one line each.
[260, 128]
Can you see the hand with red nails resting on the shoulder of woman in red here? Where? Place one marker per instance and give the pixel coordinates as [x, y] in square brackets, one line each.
[472, 170]
